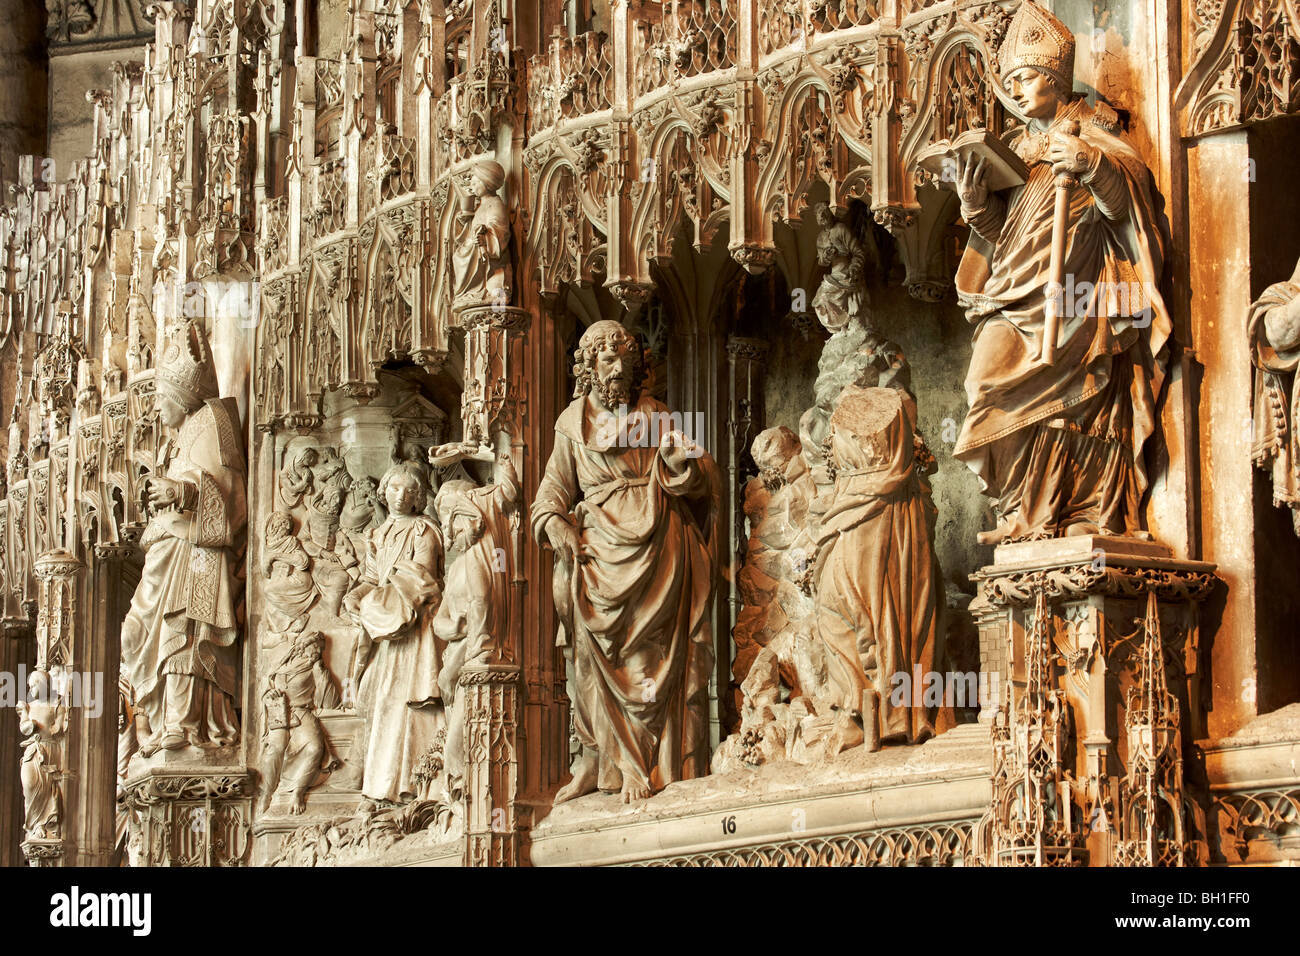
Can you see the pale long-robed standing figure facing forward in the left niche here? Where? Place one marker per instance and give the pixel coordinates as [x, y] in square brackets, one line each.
[395, 607]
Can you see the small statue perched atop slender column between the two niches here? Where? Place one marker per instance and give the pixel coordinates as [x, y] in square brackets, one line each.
[482, 270]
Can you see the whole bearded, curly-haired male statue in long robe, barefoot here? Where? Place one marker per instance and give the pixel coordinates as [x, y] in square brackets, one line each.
[631, 516]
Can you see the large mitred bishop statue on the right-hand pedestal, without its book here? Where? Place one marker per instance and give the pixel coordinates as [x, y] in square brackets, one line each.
[1059, 442]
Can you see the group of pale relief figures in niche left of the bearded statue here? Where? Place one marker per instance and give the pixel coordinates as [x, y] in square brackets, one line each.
[432, 600]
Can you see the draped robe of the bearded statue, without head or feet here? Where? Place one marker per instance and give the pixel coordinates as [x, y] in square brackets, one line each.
[642, 631]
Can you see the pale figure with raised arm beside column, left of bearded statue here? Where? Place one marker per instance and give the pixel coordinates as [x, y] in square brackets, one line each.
[475, 613]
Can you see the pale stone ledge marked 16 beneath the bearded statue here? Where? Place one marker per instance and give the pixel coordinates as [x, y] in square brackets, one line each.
[891, 807]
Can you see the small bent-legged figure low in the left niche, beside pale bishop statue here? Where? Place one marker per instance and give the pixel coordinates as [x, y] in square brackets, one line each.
[294, 746]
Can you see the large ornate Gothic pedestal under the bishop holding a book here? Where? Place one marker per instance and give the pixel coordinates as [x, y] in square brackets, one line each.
[1095, 642]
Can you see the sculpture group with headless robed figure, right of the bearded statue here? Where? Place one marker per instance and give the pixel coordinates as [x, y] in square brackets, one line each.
[842, 585]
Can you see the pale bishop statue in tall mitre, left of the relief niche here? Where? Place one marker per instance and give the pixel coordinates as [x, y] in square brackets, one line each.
[179, 639]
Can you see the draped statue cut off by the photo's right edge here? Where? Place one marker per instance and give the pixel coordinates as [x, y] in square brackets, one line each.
[1275, 336]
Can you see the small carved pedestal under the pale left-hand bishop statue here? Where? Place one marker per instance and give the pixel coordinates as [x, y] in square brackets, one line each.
[197, 816]
